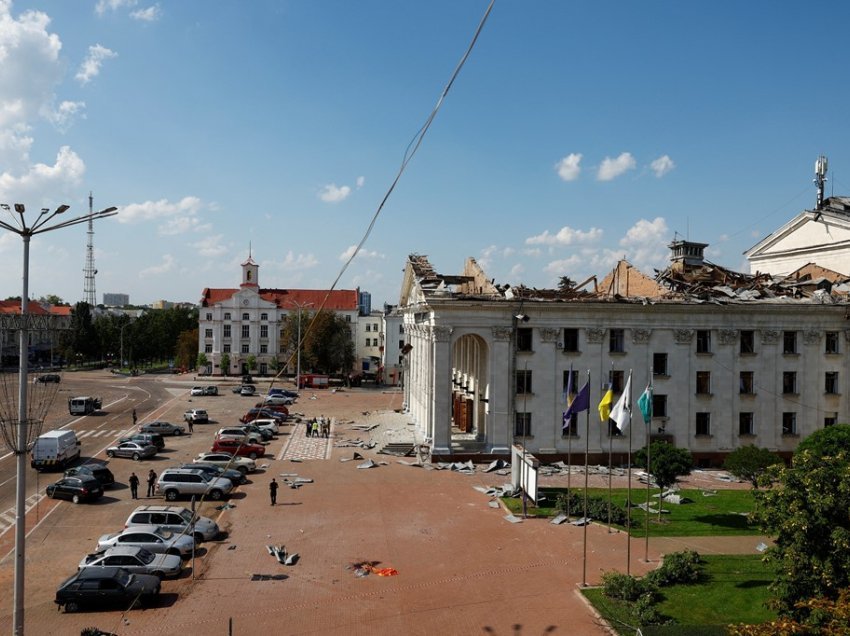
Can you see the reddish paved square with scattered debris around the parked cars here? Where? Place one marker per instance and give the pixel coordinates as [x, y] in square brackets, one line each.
[460, 567]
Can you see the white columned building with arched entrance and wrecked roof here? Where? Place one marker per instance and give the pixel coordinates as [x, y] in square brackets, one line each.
[734, 359]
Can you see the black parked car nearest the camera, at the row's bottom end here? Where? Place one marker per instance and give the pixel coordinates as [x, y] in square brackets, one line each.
[106, 586]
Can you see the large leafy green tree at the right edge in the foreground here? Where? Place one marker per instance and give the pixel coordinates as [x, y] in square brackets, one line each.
[806, 512]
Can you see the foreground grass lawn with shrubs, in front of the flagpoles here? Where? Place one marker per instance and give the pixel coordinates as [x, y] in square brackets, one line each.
[733, 590]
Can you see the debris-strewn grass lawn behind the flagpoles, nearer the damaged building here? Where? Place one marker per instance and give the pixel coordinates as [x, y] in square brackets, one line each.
[723, 514]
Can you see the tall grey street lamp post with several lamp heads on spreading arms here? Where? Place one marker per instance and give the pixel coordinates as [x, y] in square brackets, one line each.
[19, 226]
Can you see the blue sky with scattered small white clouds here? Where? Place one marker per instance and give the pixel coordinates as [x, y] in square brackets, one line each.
[577, 133]
